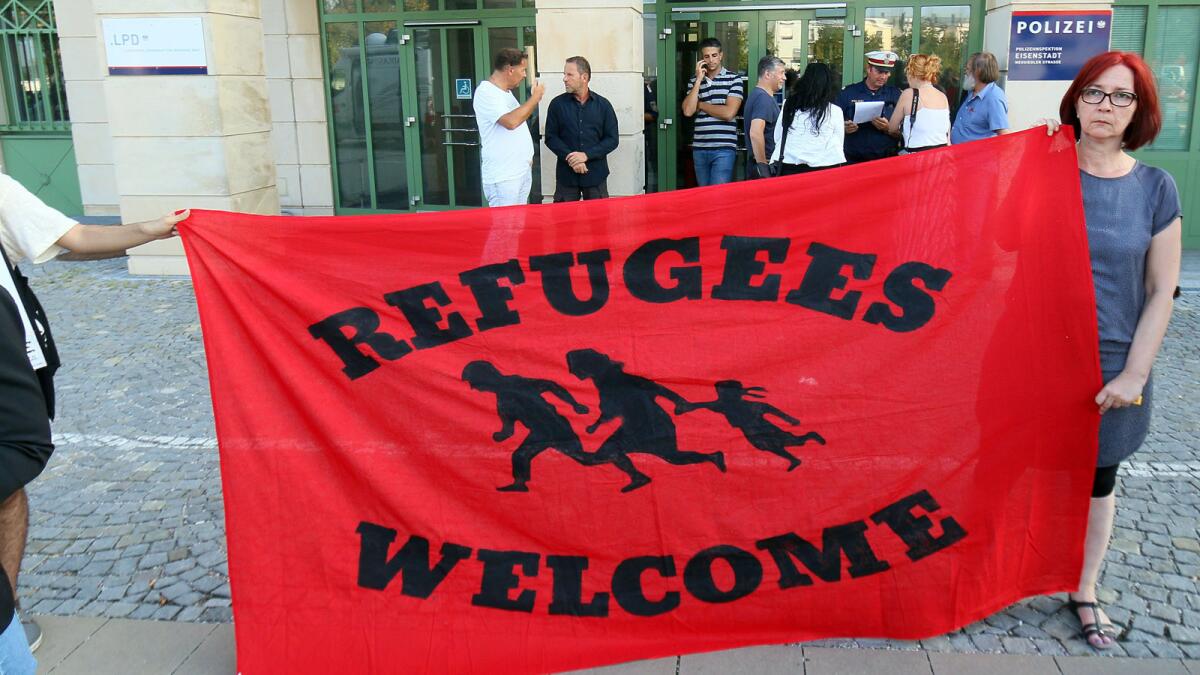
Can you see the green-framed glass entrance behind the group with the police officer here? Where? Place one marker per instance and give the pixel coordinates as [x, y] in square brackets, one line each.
[838, 34]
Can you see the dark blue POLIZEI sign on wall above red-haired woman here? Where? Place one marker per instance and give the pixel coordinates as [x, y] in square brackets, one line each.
[1054, 45]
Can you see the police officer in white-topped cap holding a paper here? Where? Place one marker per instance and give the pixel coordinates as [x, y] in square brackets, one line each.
[872, 141]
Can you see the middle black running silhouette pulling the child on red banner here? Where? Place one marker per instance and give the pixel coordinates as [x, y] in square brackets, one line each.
[645, 427]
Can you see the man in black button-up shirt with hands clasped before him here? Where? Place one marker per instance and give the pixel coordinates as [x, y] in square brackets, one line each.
[581, 130]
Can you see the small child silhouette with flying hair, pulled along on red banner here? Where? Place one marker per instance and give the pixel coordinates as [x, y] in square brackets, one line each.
[752, 419]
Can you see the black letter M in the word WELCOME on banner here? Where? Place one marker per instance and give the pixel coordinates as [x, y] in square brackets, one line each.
[825, 563]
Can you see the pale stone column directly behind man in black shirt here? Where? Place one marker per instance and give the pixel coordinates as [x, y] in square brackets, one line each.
[609, 35]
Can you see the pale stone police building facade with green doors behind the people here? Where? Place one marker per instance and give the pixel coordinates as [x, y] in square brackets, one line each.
[319, 107]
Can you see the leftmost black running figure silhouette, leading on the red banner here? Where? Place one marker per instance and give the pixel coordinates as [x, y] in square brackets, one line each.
[520, 399]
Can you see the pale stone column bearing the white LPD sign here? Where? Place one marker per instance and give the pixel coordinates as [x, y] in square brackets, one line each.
[193, 141]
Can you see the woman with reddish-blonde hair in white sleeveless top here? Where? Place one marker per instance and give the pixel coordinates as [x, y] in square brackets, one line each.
[931, 127]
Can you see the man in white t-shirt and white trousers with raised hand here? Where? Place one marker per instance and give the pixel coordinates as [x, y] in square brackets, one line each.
[506, 142]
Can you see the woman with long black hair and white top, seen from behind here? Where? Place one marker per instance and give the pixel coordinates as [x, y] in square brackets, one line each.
[814, 126]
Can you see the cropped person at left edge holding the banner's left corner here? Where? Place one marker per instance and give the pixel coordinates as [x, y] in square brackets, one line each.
[32, 231]
